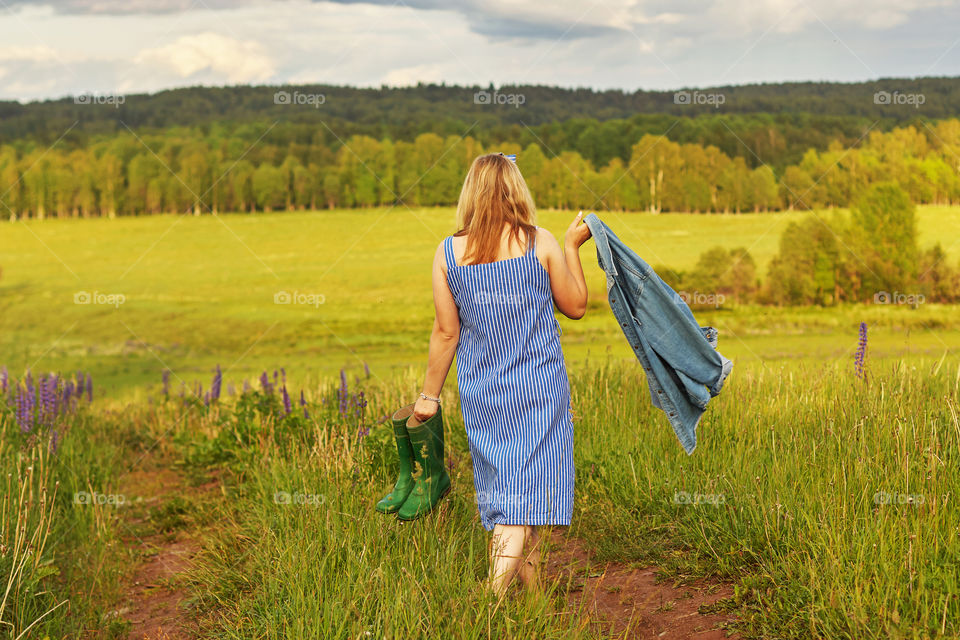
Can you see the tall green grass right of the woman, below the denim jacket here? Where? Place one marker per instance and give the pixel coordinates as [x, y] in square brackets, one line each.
[830, 499]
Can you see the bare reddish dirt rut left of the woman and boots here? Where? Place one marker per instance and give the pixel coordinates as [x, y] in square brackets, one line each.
[158, 528]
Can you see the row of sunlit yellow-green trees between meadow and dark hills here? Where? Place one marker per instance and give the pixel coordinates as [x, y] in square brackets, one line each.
[187, 170]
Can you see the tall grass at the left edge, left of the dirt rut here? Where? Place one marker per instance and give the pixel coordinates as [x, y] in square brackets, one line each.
[59, 561]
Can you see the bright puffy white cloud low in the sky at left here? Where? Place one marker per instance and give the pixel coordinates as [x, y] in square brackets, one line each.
[235, 60]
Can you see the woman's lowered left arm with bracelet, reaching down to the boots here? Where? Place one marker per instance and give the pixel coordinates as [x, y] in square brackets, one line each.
[443, 338]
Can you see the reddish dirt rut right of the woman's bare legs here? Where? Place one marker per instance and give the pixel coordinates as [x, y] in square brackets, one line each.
[628, 602]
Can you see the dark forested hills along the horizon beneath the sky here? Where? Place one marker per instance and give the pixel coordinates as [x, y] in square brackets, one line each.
[405, 112]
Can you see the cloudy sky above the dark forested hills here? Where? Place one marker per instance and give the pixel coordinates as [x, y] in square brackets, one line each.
[55, 48]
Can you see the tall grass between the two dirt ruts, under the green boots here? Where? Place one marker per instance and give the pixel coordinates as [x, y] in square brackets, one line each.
[299, 550]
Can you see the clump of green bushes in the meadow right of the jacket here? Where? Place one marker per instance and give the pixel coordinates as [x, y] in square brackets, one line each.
[869, 255]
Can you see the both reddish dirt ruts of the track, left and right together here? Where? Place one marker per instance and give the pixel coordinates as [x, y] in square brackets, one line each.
[161, 525]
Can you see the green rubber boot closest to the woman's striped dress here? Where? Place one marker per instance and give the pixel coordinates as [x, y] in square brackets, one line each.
[431, 481]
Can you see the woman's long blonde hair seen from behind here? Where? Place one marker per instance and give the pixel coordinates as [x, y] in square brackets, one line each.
[494, 192]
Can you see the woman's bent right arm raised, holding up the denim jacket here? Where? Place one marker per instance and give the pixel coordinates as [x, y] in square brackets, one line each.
[566, 273]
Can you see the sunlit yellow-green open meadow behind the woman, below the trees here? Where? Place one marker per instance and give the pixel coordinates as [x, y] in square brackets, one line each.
[200, 292]
